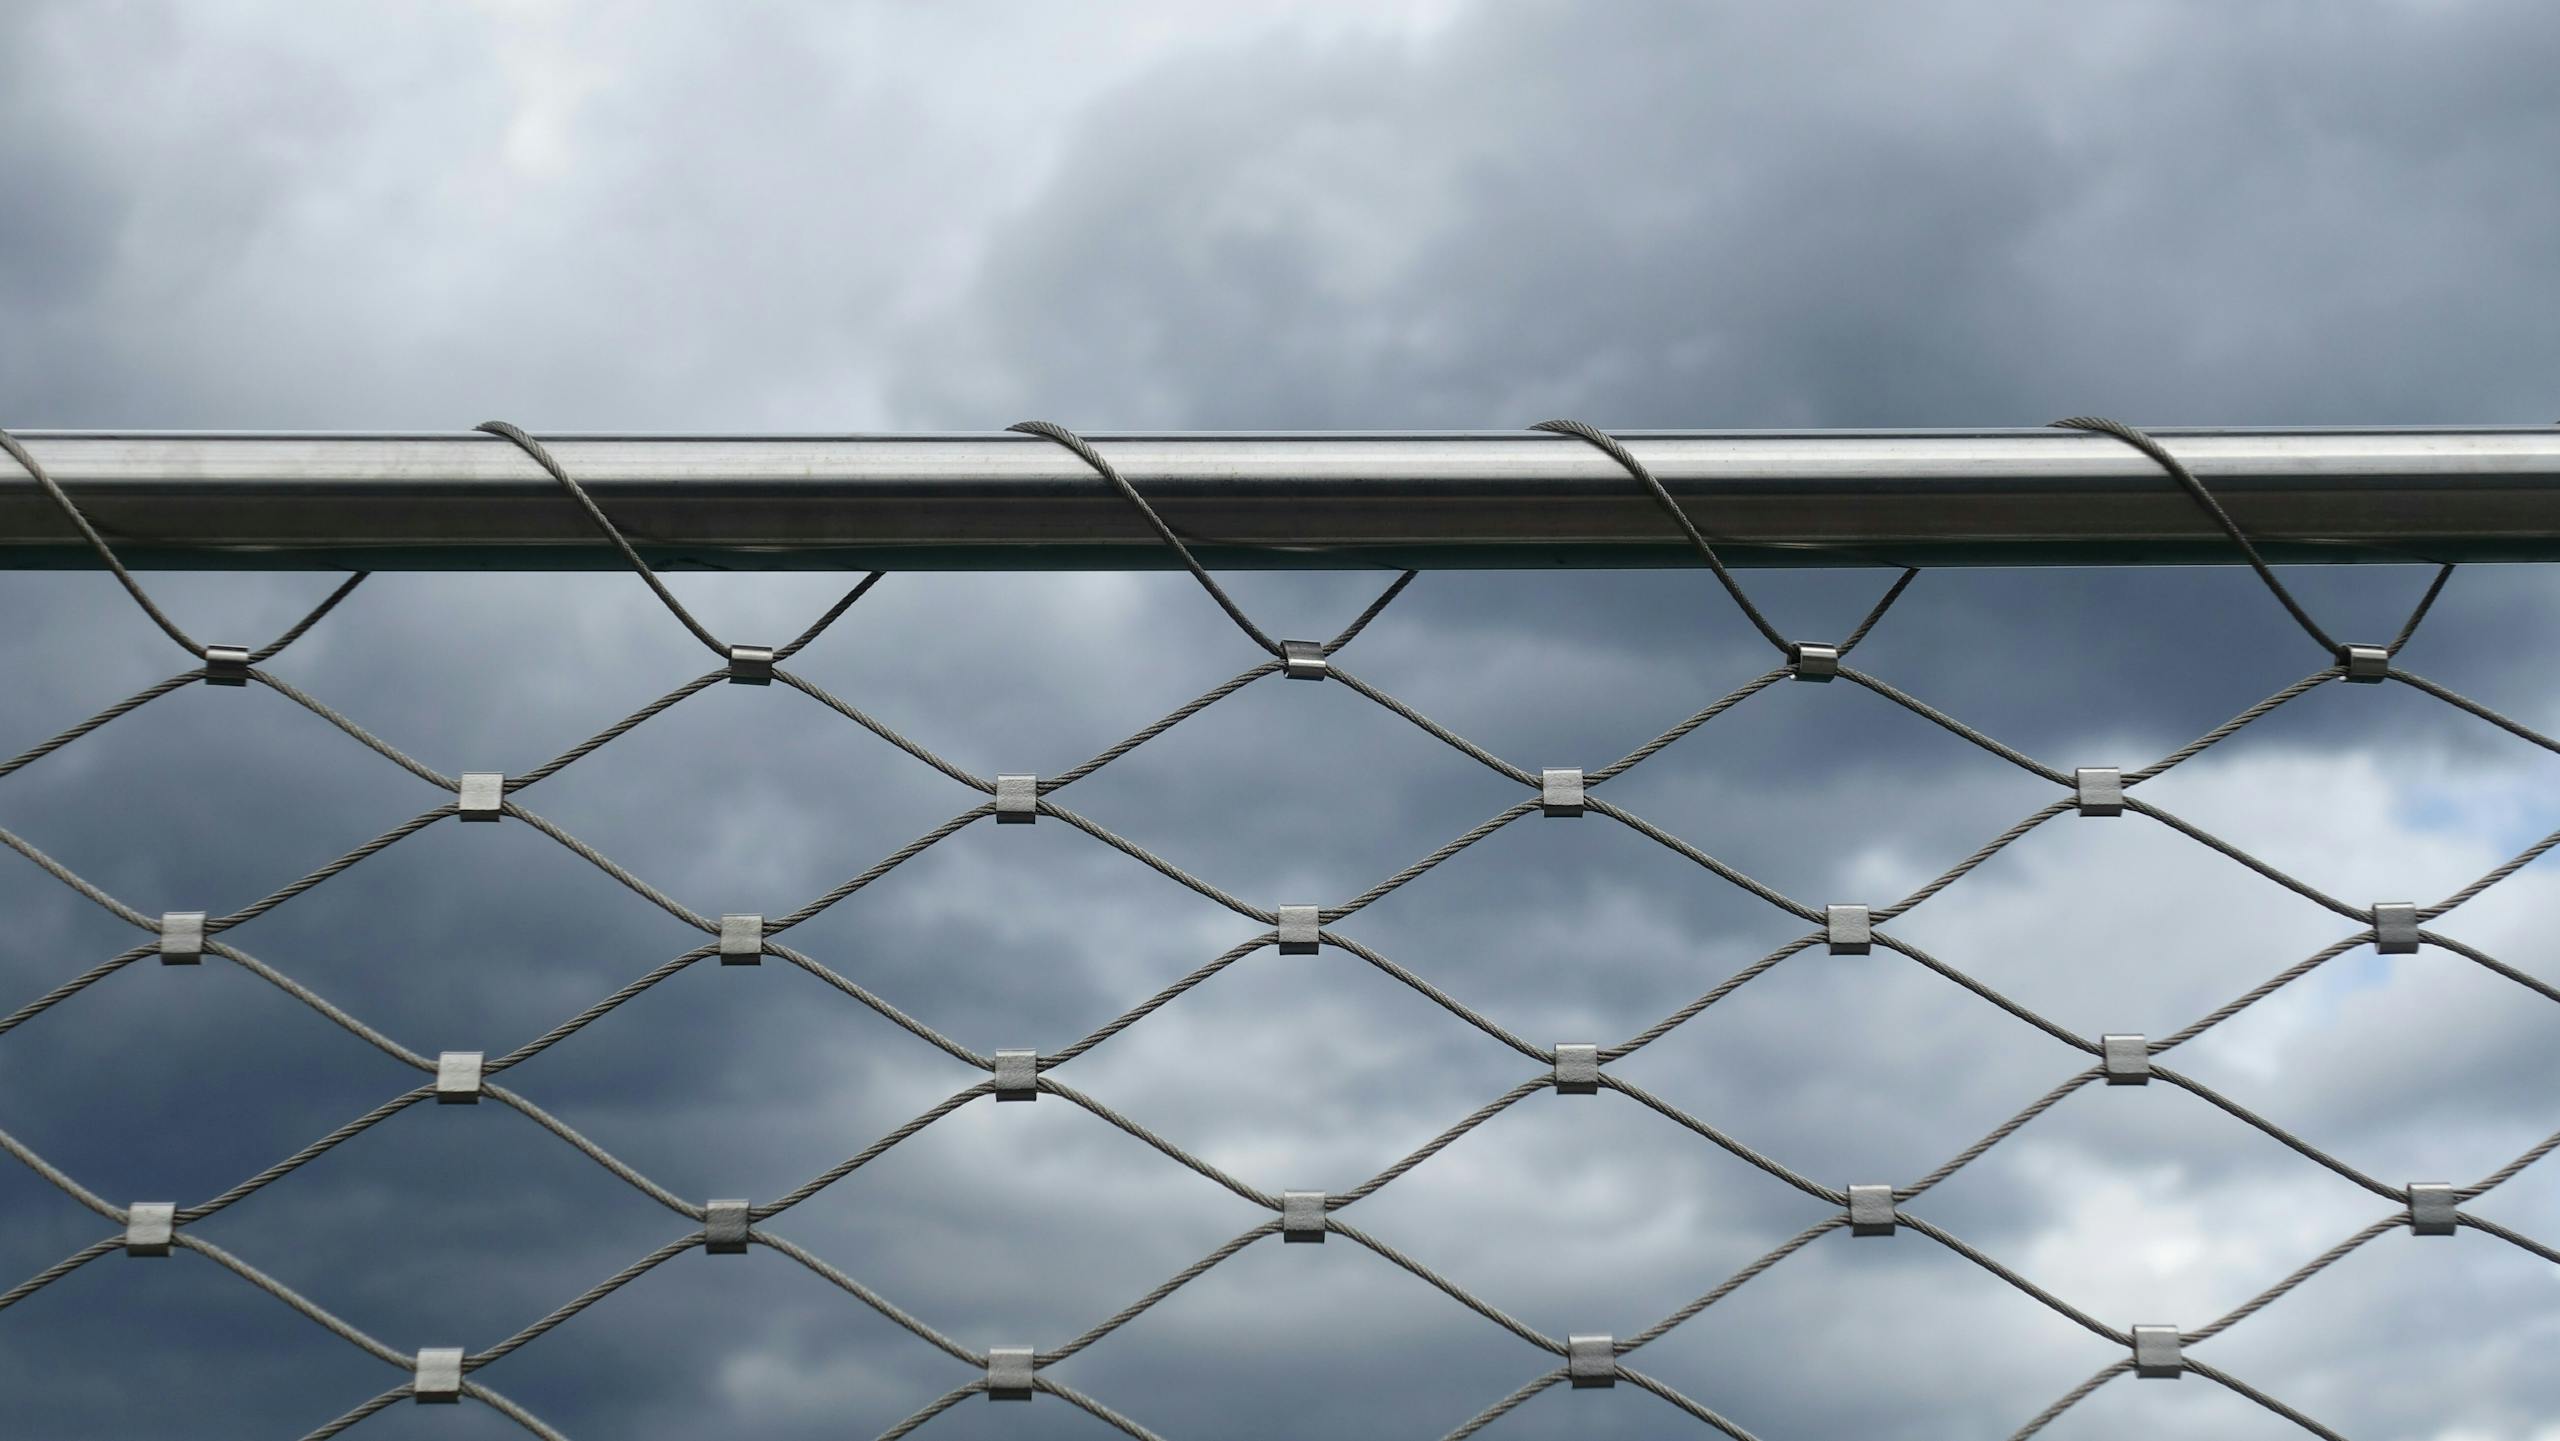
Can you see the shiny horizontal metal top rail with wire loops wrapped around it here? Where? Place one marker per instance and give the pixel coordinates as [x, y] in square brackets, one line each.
[1286, 500]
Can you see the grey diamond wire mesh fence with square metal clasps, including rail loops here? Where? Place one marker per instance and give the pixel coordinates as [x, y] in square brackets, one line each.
[1576, 1069]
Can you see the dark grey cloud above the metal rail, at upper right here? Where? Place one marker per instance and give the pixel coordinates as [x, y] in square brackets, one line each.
[1824, 216]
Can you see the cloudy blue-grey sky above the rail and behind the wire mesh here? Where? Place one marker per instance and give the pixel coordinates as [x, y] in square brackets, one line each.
[1279, 216]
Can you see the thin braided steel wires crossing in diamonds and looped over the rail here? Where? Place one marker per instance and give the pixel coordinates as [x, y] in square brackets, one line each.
[698, 1220]
